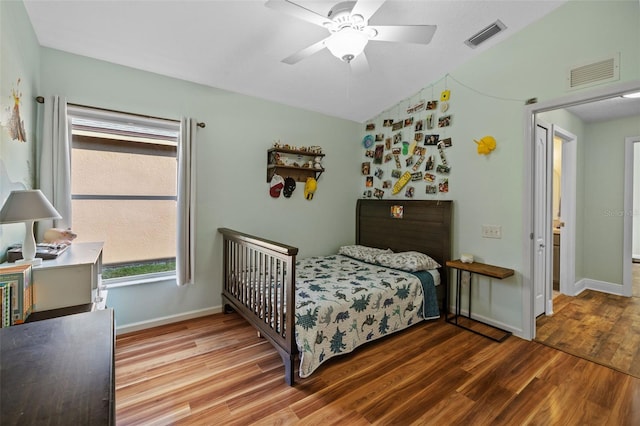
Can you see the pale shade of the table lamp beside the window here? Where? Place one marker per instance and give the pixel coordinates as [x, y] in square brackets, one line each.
[27, 205]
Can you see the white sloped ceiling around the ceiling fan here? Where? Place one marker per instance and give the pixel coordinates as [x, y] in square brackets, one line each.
[238, 45]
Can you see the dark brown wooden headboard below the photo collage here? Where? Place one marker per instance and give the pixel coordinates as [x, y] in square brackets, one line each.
[425, 226]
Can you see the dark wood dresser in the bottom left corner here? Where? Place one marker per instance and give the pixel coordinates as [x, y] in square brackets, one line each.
[59, 371]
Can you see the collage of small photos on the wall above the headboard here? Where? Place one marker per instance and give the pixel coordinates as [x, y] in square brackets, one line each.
[409, 154]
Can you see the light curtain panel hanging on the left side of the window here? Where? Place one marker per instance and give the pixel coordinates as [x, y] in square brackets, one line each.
[54, 171]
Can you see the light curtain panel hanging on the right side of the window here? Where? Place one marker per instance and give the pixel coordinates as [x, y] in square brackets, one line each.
[185, 255]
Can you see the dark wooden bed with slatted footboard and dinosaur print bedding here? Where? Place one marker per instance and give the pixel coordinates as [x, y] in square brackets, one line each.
[342, 300]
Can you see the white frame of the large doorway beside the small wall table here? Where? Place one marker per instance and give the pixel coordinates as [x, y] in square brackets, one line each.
[528, 319]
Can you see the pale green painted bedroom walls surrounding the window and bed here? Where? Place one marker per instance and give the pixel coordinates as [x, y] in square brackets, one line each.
[488, 96]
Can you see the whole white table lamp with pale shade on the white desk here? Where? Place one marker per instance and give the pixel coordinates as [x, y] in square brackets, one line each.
[28, 206]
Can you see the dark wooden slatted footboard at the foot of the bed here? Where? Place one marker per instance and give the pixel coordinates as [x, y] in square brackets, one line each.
[258, 277]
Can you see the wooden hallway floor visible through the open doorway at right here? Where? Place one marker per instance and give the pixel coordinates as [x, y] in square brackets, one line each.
[597, 326]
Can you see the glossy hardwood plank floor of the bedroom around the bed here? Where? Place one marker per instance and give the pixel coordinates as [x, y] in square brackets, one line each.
[215, 370]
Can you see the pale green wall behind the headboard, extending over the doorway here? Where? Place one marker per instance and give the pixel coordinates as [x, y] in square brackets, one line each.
[488, 97]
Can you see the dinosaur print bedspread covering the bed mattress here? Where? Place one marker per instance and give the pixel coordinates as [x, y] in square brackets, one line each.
[342, 303]
